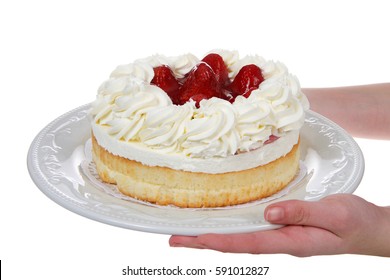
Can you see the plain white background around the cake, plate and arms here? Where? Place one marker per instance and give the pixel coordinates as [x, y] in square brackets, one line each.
[55, 54]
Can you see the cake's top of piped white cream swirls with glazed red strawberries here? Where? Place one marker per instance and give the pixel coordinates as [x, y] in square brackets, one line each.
[221, 112]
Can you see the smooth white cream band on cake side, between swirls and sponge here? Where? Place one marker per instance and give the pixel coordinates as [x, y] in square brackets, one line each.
[213, 165]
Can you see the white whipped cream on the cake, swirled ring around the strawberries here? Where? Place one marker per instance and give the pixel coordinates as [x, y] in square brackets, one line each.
[132, 113]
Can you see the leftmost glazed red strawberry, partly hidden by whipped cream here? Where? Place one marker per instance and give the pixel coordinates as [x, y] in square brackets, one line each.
[164, 79]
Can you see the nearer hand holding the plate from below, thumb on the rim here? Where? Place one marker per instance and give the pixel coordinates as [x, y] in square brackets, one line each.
[337, 224]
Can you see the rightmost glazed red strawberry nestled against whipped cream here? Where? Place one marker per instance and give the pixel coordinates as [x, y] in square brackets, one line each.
[248, 78]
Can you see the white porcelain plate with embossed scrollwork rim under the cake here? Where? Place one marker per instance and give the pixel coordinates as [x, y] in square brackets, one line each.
[59, 164]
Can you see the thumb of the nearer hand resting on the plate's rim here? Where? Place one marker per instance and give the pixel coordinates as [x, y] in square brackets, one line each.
[296, 212]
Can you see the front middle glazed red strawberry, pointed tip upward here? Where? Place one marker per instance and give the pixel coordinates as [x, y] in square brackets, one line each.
[200, 84]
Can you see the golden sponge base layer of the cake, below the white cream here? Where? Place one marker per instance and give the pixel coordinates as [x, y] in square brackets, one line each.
[165, 186]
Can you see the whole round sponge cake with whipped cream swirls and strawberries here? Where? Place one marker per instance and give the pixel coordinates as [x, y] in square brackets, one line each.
[189, 132]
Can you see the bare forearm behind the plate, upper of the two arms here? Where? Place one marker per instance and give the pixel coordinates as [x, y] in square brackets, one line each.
[364, 111]
